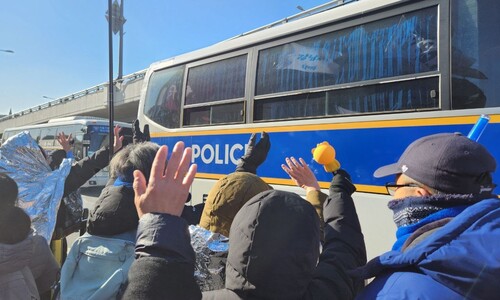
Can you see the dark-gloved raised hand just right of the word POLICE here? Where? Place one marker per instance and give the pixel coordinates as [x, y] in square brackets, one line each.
[255, 154]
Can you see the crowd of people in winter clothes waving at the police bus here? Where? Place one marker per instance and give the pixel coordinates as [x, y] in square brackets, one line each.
[273, 244]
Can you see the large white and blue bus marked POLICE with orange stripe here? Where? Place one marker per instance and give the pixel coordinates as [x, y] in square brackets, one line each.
[368, 76]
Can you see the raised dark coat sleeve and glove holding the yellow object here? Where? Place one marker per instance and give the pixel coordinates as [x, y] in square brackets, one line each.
[344, 247]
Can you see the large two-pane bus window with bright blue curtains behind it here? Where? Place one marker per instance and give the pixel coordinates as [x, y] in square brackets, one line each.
[396, 46]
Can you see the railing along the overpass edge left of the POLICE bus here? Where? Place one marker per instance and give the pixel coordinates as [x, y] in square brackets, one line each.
[62, 100]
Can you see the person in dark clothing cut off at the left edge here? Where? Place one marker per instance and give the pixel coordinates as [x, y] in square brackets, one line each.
[28, 268]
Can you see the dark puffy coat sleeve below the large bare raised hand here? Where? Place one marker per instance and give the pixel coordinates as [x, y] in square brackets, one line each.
[164, 265]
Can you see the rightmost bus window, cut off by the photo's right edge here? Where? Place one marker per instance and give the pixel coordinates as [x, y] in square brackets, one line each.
[476, 48]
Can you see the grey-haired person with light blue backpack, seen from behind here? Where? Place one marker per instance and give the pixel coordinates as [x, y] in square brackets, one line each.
[98, 262]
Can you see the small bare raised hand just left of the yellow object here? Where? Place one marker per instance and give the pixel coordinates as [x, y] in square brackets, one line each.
[301, 174]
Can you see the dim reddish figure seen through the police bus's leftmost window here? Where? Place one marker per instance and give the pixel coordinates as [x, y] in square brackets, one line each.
[166, 111]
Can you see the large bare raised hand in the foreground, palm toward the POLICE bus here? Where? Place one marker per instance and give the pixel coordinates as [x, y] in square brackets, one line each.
[168, 188]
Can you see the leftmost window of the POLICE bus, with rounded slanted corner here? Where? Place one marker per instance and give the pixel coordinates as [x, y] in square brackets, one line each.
[163, 100]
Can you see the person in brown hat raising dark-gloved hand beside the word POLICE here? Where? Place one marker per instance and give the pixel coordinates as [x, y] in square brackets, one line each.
[223, 202]
